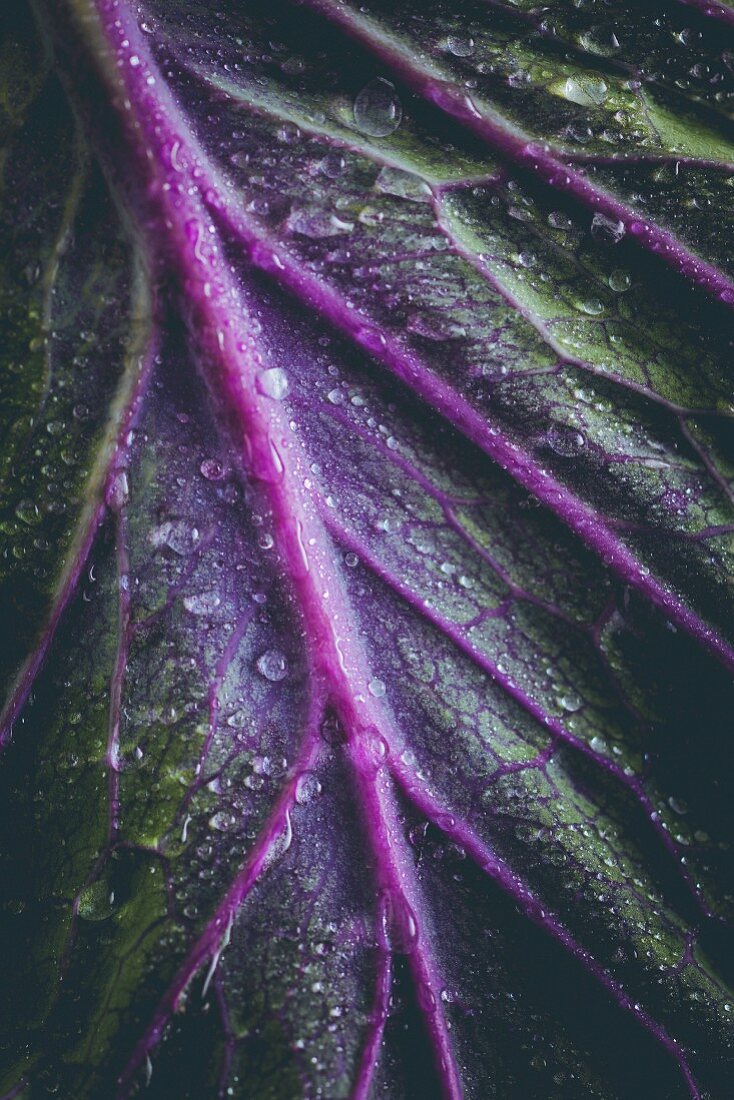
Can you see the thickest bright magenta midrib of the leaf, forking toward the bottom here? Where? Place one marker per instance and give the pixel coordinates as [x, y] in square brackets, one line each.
[231, 358]
